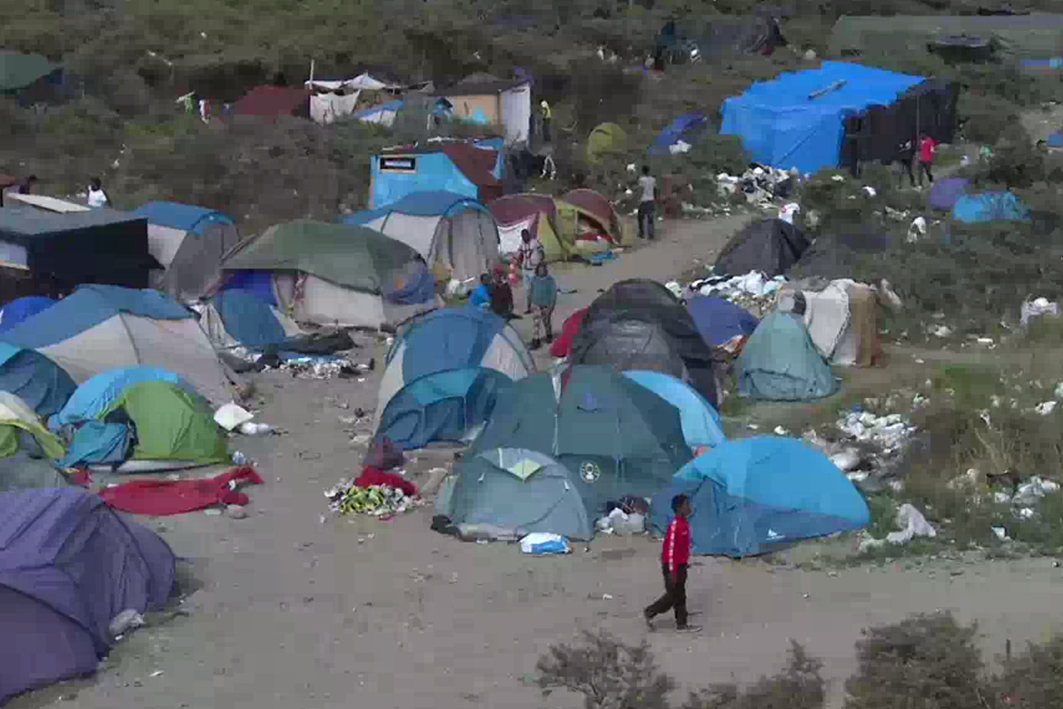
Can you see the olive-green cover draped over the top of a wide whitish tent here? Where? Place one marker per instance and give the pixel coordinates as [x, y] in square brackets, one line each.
[348, 256]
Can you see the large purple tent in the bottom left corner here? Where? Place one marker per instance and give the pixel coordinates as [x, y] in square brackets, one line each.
[69, 566]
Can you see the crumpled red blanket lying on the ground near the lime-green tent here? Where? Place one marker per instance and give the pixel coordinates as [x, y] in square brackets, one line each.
[159, 498]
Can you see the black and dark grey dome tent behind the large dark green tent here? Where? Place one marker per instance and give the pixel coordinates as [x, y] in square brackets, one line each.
[640, 325]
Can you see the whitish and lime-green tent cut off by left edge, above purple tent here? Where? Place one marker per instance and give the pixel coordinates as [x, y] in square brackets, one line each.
[27, 449]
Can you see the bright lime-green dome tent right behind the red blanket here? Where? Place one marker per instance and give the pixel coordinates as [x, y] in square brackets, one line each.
[172, 425]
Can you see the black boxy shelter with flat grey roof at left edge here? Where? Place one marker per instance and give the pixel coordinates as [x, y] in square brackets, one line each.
[98, 246]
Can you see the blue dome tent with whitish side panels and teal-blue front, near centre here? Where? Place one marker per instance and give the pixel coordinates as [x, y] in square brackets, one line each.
[444, 375]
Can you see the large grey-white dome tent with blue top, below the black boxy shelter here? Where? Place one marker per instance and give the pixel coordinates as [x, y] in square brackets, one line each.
[104, 328]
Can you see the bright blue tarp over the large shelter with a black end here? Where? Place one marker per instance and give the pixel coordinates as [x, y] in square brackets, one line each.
[786, 124]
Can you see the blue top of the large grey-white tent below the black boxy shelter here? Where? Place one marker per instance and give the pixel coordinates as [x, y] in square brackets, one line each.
[90, 307]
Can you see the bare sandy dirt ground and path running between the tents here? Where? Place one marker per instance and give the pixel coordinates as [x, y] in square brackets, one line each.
[293, 607]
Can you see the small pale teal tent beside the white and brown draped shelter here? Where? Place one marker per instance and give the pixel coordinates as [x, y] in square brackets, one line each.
[781, 363]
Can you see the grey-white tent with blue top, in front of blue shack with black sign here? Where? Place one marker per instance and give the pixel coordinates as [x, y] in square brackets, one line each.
[449, 230]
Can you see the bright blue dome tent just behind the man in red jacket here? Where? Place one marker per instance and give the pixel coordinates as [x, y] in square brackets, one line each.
[753, 495]
